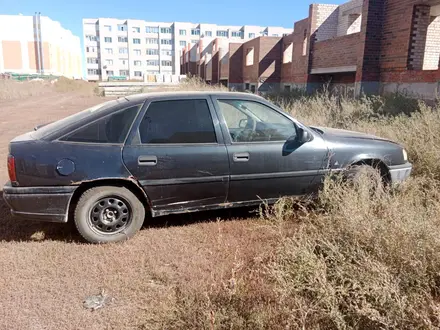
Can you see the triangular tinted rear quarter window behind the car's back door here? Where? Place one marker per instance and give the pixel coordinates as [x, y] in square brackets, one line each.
[110, 129]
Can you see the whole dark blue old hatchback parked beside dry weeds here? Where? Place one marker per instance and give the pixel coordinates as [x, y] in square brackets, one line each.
[109, 167]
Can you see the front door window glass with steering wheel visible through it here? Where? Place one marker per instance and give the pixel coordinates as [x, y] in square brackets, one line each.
[251, 121]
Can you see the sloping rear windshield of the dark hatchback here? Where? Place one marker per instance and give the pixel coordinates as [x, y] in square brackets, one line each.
[67, 121]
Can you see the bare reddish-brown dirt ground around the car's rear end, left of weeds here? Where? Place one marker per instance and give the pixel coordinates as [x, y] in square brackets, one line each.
[47, 271]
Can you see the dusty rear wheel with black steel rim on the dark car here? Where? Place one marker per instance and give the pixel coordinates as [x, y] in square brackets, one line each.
[108, 214]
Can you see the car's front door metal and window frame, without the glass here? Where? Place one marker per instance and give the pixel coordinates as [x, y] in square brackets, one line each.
[272, 169]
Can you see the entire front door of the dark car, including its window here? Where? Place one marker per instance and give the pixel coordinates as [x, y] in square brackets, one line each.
[267, 160]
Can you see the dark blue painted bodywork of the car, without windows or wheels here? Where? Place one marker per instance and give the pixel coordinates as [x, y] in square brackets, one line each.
[185, 178]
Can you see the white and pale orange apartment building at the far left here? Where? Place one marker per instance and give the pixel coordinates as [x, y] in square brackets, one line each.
[38, 45]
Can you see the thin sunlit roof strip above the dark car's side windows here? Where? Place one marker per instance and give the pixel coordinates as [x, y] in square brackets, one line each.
[176, 94]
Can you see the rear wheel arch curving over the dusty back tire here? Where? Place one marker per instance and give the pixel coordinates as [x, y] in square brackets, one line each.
[130, 184]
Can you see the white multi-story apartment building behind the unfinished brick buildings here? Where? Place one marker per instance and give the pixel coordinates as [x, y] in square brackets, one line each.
[134, 48]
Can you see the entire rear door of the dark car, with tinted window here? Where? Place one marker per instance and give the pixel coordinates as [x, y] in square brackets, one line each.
[177, 153]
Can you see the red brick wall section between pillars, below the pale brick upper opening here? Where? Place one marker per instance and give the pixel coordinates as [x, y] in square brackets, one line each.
[337, 52]
